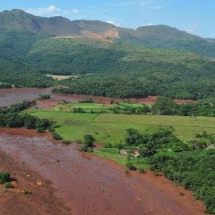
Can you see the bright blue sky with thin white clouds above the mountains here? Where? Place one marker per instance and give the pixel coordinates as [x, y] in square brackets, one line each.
[193, 16]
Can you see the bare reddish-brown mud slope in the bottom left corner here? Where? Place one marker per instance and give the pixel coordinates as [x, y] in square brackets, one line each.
[41, 201]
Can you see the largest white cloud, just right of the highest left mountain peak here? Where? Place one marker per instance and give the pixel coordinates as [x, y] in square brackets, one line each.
[52, 10]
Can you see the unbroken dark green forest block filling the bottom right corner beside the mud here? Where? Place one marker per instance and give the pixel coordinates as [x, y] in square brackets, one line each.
[194, 170]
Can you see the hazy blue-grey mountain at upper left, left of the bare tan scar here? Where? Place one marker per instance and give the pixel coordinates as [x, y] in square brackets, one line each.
[56, 26]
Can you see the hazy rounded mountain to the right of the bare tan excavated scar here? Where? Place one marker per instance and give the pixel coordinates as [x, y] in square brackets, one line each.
[161, 36]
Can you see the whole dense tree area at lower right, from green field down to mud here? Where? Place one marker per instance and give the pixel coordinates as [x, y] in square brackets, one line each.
[188, 164]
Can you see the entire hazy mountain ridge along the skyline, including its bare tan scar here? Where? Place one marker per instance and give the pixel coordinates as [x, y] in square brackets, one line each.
[155, 36]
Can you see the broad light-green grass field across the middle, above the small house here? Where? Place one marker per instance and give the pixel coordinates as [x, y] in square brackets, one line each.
[111, 128]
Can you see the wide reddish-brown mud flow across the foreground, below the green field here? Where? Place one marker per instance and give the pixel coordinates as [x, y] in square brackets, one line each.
[90, 185]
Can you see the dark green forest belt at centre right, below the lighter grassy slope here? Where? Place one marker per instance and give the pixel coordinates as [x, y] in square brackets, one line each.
[147, 79]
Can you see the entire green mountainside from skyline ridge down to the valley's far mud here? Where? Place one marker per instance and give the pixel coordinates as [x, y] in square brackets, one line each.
[121, 61]
